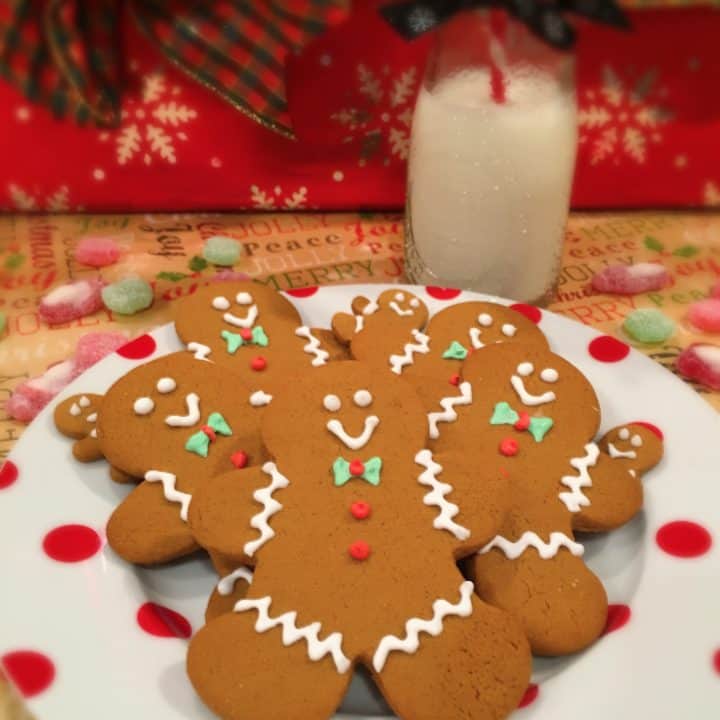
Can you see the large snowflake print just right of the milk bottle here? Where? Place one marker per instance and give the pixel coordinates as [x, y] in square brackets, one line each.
[623, 117]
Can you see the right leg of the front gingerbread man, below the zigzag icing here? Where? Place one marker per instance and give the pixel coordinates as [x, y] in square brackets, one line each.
[486, 679]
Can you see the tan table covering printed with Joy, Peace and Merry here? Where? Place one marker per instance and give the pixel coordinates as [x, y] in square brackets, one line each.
[287, 251]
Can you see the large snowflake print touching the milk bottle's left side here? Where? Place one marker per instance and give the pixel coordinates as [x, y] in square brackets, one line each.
[379, 116]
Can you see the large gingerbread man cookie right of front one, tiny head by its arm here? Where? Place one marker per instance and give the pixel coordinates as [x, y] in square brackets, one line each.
[533, 417]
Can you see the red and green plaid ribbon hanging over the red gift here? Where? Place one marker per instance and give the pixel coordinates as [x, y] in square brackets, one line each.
[65, 54]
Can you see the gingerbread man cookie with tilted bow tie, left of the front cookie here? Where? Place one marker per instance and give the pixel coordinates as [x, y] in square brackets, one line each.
[174, 422]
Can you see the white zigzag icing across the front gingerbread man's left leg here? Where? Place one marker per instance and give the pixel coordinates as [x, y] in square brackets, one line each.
[291, 633]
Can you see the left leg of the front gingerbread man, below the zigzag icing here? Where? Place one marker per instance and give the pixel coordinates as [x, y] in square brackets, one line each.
[241, 672]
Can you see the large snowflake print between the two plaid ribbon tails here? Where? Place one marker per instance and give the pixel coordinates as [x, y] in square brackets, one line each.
[151, 124]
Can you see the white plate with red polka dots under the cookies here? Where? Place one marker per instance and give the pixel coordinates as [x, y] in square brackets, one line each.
[82, 615]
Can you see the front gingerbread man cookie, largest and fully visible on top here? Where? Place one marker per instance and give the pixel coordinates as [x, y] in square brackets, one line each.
[354, 532]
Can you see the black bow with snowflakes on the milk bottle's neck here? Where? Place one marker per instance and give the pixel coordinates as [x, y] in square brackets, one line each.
[544, 17]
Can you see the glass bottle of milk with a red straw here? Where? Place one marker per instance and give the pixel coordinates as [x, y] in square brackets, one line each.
[491, 160]
